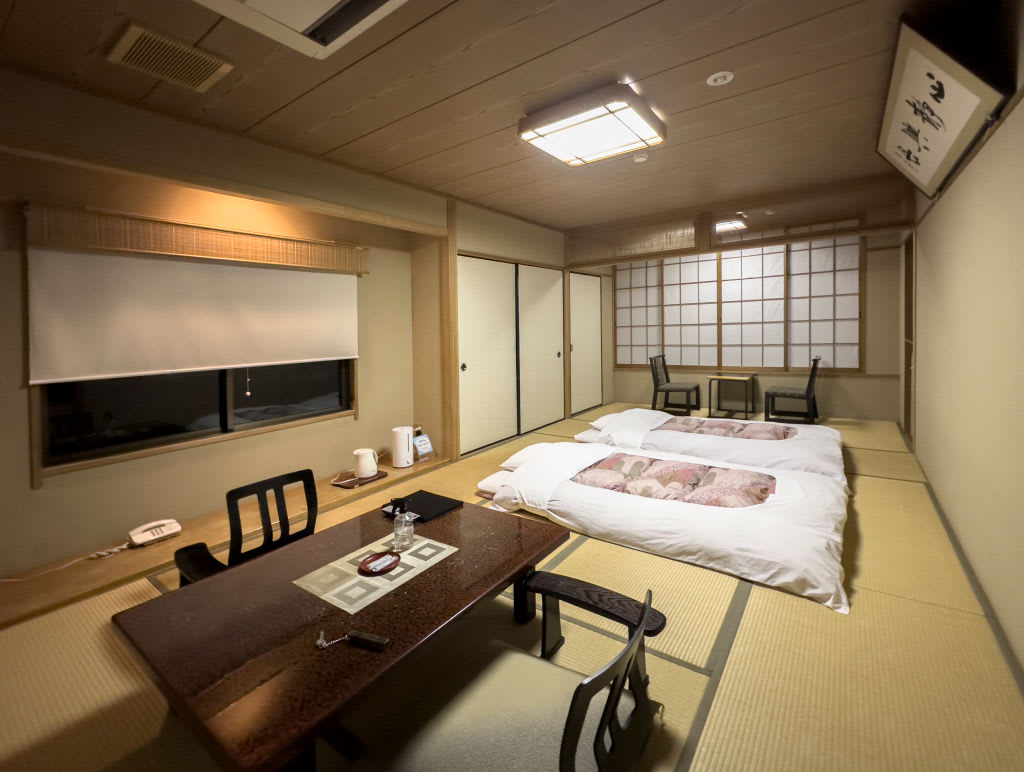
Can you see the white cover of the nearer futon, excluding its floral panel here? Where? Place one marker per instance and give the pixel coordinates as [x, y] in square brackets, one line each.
[793, 541]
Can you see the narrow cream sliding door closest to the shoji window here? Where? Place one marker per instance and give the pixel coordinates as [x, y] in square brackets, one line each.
[585, 332]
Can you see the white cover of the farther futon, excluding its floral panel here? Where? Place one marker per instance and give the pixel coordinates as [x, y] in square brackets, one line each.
[814, 449]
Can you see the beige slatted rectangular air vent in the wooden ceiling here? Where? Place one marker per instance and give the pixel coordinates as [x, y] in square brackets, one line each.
[168, 60]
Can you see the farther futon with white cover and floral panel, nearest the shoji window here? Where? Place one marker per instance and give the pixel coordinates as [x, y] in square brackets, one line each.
[798, 448]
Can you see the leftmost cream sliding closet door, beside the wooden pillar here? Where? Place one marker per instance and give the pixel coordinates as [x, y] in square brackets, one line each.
[487, 353]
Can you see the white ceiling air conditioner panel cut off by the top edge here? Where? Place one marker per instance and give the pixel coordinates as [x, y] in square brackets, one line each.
[316, 28]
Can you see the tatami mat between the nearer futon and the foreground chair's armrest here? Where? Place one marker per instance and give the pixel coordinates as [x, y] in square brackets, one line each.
[694, 601]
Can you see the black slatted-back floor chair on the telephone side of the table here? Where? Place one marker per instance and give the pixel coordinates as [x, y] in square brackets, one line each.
[195, 563]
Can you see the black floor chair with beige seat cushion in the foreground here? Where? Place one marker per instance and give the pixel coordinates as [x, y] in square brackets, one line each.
[502, 708]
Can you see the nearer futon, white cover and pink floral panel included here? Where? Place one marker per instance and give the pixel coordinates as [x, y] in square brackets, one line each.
[779, 528]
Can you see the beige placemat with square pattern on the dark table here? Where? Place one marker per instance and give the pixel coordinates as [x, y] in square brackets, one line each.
[342, 585]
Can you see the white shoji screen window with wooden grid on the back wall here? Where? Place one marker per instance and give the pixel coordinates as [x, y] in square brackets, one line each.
[750, 308]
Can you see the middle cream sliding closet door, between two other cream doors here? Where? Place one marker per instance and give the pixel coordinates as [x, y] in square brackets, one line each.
[542, 377]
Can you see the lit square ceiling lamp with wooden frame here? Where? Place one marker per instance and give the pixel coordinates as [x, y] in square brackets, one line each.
[598, 125]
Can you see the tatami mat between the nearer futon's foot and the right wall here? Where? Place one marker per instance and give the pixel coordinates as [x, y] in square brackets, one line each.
[897, 544]
